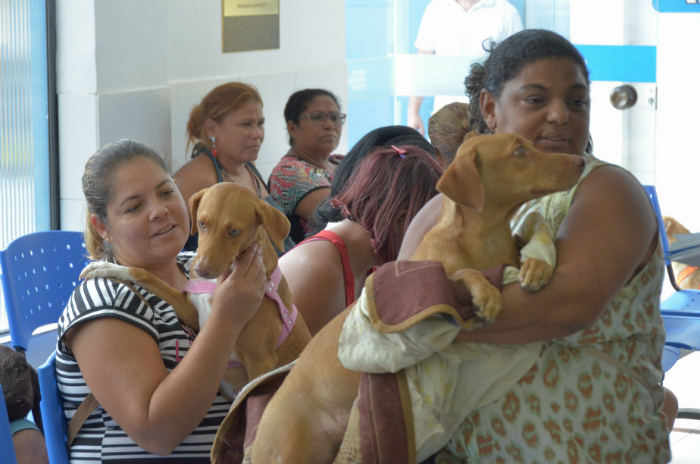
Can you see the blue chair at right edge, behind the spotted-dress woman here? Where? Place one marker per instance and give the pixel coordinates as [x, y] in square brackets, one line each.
[680, 311]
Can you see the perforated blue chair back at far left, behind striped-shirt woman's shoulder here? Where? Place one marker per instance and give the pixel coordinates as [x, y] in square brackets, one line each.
[39, 273]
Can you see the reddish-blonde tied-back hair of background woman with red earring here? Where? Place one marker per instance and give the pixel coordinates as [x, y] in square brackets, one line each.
[216, 105]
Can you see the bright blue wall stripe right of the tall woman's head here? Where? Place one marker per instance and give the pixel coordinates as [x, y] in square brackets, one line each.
[628, 63]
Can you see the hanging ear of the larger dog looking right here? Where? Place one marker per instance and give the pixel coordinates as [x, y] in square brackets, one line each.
[461, 181]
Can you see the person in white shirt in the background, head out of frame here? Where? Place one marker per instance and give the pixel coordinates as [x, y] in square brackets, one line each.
[459, 28]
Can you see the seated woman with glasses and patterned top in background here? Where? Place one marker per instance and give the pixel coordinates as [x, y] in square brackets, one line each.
[303, 177]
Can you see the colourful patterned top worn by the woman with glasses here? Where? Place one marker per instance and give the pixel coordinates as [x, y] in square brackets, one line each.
[291, 180]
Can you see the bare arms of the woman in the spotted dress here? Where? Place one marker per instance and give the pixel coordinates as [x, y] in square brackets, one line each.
[604, 239]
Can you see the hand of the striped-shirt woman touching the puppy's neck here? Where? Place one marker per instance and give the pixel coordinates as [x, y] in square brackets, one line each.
[239, 291]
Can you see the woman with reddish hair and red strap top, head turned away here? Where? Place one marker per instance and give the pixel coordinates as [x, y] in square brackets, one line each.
[376, 192]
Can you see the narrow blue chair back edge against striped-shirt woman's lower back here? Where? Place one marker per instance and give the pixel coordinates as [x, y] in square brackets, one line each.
[55, 427]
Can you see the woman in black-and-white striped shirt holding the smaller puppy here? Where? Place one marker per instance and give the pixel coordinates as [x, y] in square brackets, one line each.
[157, 392]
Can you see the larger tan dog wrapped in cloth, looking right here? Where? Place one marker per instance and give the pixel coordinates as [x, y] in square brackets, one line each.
[491, 177]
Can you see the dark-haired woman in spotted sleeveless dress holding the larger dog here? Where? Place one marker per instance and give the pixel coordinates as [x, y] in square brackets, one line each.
[594, 393]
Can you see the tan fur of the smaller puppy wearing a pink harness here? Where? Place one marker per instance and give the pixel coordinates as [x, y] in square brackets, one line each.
[218, 212]
